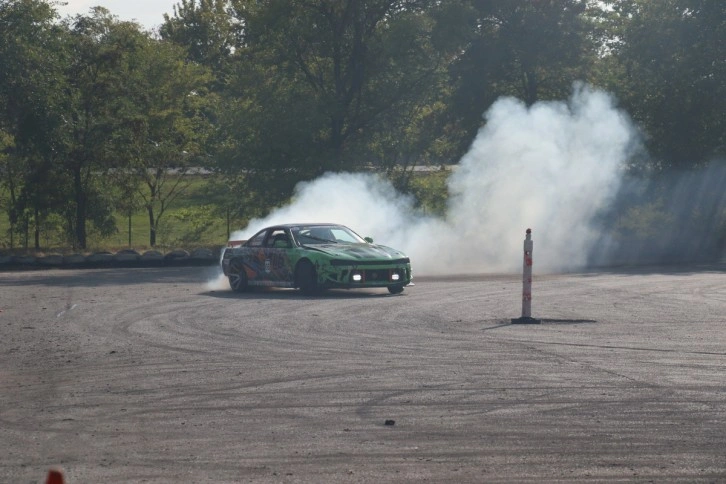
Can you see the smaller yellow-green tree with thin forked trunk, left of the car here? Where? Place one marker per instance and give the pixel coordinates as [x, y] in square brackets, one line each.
[163, 125]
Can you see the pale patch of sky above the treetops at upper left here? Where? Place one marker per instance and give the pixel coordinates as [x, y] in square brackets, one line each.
[149, 13]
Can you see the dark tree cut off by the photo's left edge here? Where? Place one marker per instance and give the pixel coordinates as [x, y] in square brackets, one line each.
[31, 83]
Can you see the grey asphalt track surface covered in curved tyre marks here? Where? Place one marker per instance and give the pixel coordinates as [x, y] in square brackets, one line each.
[148, 375]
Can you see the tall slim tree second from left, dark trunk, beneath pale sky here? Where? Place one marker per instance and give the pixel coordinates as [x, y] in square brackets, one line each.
[100, 49]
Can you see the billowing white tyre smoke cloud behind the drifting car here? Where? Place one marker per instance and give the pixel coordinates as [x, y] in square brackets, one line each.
[551, 167]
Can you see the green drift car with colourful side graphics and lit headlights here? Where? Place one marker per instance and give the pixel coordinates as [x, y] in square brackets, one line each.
[313, 257]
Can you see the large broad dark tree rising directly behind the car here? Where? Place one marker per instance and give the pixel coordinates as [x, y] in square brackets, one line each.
[318, 81]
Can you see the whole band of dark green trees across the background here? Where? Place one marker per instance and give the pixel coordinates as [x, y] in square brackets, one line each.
[99, 116]
